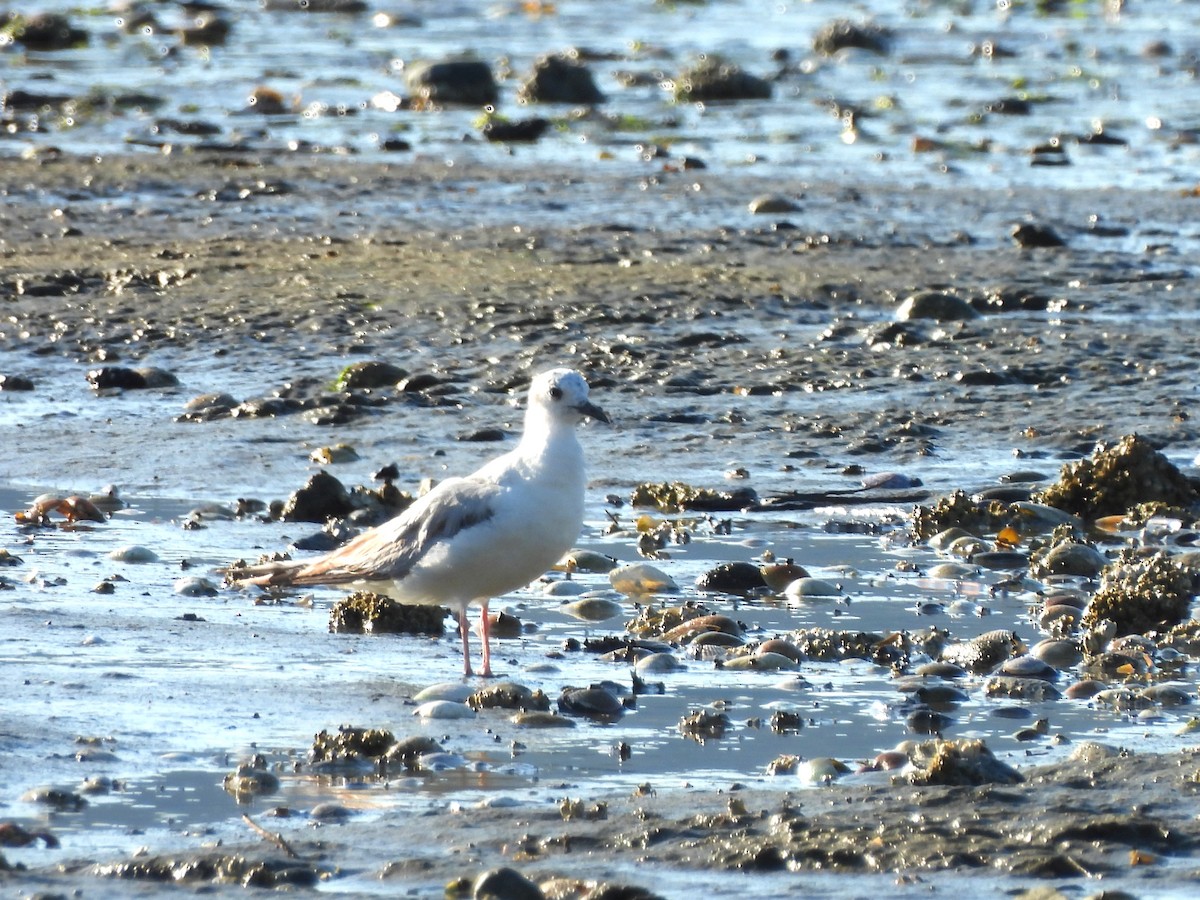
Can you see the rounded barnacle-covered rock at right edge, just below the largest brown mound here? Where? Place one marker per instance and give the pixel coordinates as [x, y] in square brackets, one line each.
[1143, 595]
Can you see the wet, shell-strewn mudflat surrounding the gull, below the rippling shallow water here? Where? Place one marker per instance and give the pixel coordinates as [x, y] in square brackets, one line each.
[721, 351]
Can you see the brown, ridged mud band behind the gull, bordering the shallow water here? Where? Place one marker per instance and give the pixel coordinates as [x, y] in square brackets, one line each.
[125, 259]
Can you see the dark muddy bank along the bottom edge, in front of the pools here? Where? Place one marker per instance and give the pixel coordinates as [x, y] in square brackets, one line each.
[1105, 821]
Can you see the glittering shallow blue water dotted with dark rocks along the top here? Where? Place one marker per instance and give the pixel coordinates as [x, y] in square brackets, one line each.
[921, 110]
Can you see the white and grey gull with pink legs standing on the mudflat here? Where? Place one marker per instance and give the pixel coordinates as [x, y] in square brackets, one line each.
[475, 538]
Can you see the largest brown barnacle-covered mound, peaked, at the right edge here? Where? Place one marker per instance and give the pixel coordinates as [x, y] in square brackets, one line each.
[1118, 478]
